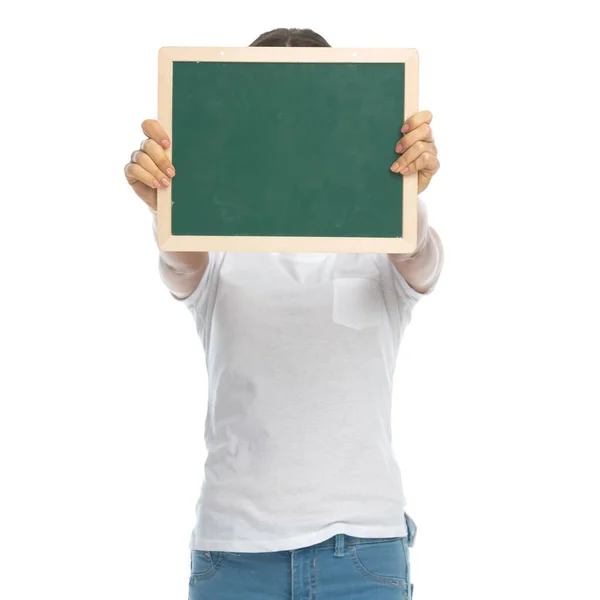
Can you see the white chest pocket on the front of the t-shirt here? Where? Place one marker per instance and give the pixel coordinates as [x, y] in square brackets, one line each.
[357, 302]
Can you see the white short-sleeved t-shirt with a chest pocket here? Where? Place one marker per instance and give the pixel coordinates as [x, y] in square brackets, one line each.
[300, 351]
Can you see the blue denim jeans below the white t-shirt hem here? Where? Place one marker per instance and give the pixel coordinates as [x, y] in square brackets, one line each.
[340, 568]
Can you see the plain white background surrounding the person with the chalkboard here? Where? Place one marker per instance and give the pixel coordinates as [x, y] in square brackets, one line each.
[103, 386]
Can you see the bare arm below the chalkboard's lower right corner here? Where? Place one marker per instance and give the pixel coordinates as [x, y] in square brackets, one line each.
[422, 268]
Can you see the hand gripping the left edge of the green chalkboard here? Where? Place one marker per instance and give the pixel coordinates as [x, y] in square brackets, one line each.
[150, 167]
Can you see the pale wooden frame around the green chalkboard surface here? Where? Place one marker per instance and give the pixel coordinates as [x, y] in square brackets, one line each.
[168, 242]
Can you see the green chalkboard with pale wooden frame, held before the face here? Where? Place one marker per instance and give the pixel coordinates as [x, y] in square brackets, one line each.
[286, 149]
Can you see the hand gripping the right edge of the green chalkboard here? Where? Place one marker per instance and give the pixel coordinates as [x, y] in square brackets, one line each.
[419, 154]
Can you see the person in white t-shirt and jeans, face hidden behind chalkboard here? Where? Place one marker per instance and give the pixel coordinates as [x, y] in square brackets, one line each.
[302, 495]
